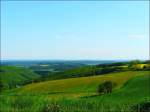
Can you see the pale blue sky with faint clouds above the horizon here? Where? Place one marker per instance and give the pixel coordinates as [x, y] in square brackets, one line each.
[73, 30]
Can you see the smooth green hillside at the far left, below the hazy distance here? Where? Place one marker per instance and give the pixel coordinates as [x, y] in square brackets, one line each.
[11, 76]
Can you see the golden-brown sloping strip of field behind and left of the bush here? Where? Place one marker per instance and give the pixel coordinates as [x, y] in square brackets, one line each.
[82, 85]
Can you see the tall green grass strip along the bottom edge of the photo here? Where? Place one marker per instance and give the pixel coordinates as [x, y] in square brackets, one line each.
[38, 104]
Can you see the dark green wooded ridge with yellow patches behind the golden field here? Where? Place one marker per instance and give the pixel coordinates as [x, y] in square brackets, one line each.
[92, 70]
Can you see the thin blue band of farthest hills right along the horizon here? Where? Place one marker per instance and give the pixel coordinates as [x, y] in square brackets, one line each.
[27, 63]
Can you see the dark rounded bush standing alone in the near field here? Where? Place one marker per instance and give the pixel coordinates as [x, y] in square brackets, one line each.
[105, 87]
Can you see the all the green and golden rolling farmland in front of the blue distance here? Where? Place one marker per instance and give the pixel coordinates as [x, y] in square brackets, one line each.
[80, 93]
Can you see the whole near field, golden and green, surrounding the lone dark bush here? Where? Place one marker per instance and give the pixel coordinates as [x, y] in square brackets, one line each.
[80, 94]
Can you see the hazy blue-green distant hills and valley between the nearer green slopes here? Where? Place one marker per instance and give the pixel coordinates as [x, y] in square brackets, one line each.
[43, 67]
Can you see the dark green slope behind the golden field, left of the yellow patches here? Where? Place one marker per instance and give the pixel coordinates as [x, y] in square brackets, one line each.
[84, 71]
